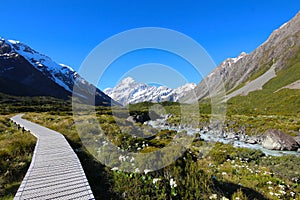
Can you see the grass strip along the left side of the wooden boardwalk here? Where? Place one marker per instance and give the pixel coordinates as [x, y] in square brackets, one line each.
[16, 148]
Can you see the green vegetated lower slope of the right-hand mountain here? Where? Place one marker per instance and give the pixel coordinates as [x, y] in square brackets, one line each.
[272, 99]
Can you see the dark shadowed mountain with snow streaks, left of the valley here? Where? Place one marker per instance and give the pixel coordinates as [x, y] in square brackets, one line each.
[24, 71]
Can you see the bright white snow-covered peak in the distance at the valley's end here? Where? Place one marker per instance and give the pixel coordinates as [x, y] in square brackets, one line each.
[128, 91]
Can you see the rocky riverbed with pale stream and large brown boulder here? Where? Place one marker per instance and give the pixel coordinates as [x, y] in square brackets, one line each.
[272, 142]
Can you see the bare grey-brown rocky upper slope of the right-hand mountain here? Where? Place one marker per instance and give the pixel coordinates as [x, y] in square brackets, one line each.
[277, 52]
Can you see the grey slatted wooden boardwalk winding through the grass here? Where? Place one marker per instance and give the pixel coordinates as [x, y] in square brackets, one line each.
[55, 171]
